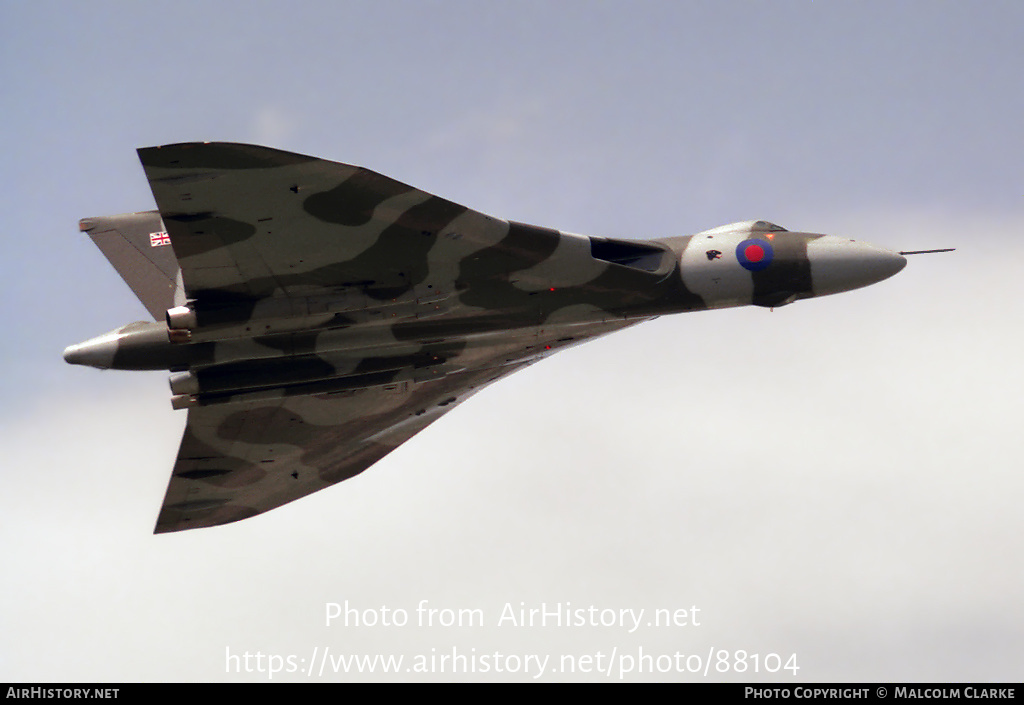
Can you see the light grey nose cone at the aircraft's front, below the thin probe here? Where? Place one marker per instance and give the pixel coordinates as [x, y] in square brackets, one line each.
[840, 265]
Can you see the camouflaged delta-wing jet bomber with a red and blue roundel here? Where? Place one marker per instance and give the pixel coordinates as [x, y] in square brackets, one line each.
[316, 316]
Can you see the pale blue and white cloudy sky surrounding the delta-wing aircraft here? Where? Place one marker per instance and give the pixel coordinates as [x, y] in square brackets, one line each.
[856, 503]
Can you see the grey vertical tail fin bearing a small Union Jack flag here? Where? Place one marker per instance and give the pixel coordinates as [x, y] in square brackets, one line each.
[138, 246]
